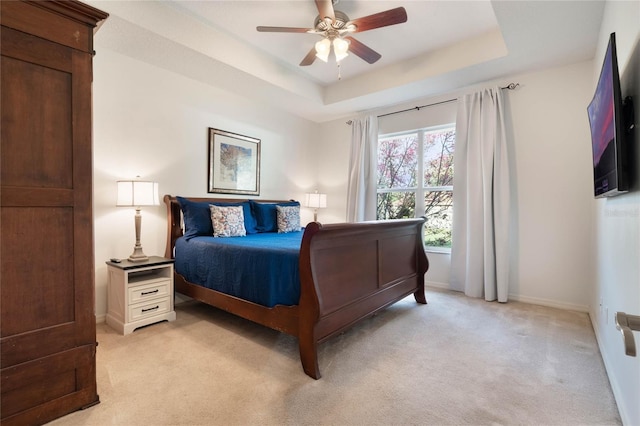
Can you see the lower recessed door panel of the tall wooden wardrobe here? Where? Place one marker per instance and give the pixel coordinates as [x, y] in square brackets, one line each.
[36, 297]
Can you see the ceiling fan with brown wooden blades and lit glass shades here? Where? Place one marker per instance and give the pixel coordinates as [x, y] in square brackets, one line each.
[334, 27]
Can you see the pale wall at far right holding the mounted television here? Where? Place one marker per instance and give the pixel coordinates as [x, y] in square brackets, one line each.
[617, 240]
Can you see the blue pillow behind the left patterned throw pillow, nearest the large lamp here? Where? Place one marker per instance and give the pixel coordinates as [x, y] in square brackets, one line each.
[197, 217]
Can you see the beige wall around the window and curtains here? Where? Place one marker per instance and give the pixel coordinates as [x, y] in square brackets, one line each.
[552, 261]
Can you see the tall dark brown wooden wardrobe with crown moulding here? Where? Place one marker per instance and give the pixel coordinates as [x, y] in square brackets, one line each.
[47, 313]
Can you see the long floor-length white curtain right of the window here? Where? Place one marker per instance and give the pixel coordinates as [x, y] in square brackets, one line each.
[480, 247]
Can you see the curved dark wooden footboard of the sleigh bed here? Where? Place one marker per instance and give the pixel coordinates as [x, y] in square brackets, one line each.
[352, 270]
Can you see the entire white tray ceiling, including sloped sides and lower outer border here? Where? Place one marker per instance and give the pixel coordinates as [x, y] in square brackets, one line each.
[443, 46]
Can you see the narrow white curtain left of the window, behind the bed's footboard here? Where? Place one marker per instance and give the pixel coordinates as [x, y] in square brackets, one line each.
[361, 189]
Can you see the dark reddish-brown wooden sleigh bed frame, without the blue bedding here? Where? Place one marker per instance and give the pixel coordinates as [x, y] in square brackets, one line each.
[348, 271]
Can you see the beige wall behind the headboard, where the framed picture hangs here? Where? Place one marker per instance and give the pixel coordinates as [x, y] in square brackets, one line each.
[153, 123]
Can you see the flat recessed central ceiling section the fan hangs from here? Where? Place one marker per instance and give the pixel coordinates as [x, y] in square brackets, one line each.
[427, 29]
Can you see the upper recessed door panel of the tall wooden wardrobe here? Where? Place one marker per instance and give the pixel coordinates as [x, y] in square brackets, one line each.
[40, 153]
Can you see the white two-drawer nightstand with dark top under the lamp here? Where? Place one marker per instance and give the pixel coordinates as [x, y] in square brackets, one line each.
[140, 293]
